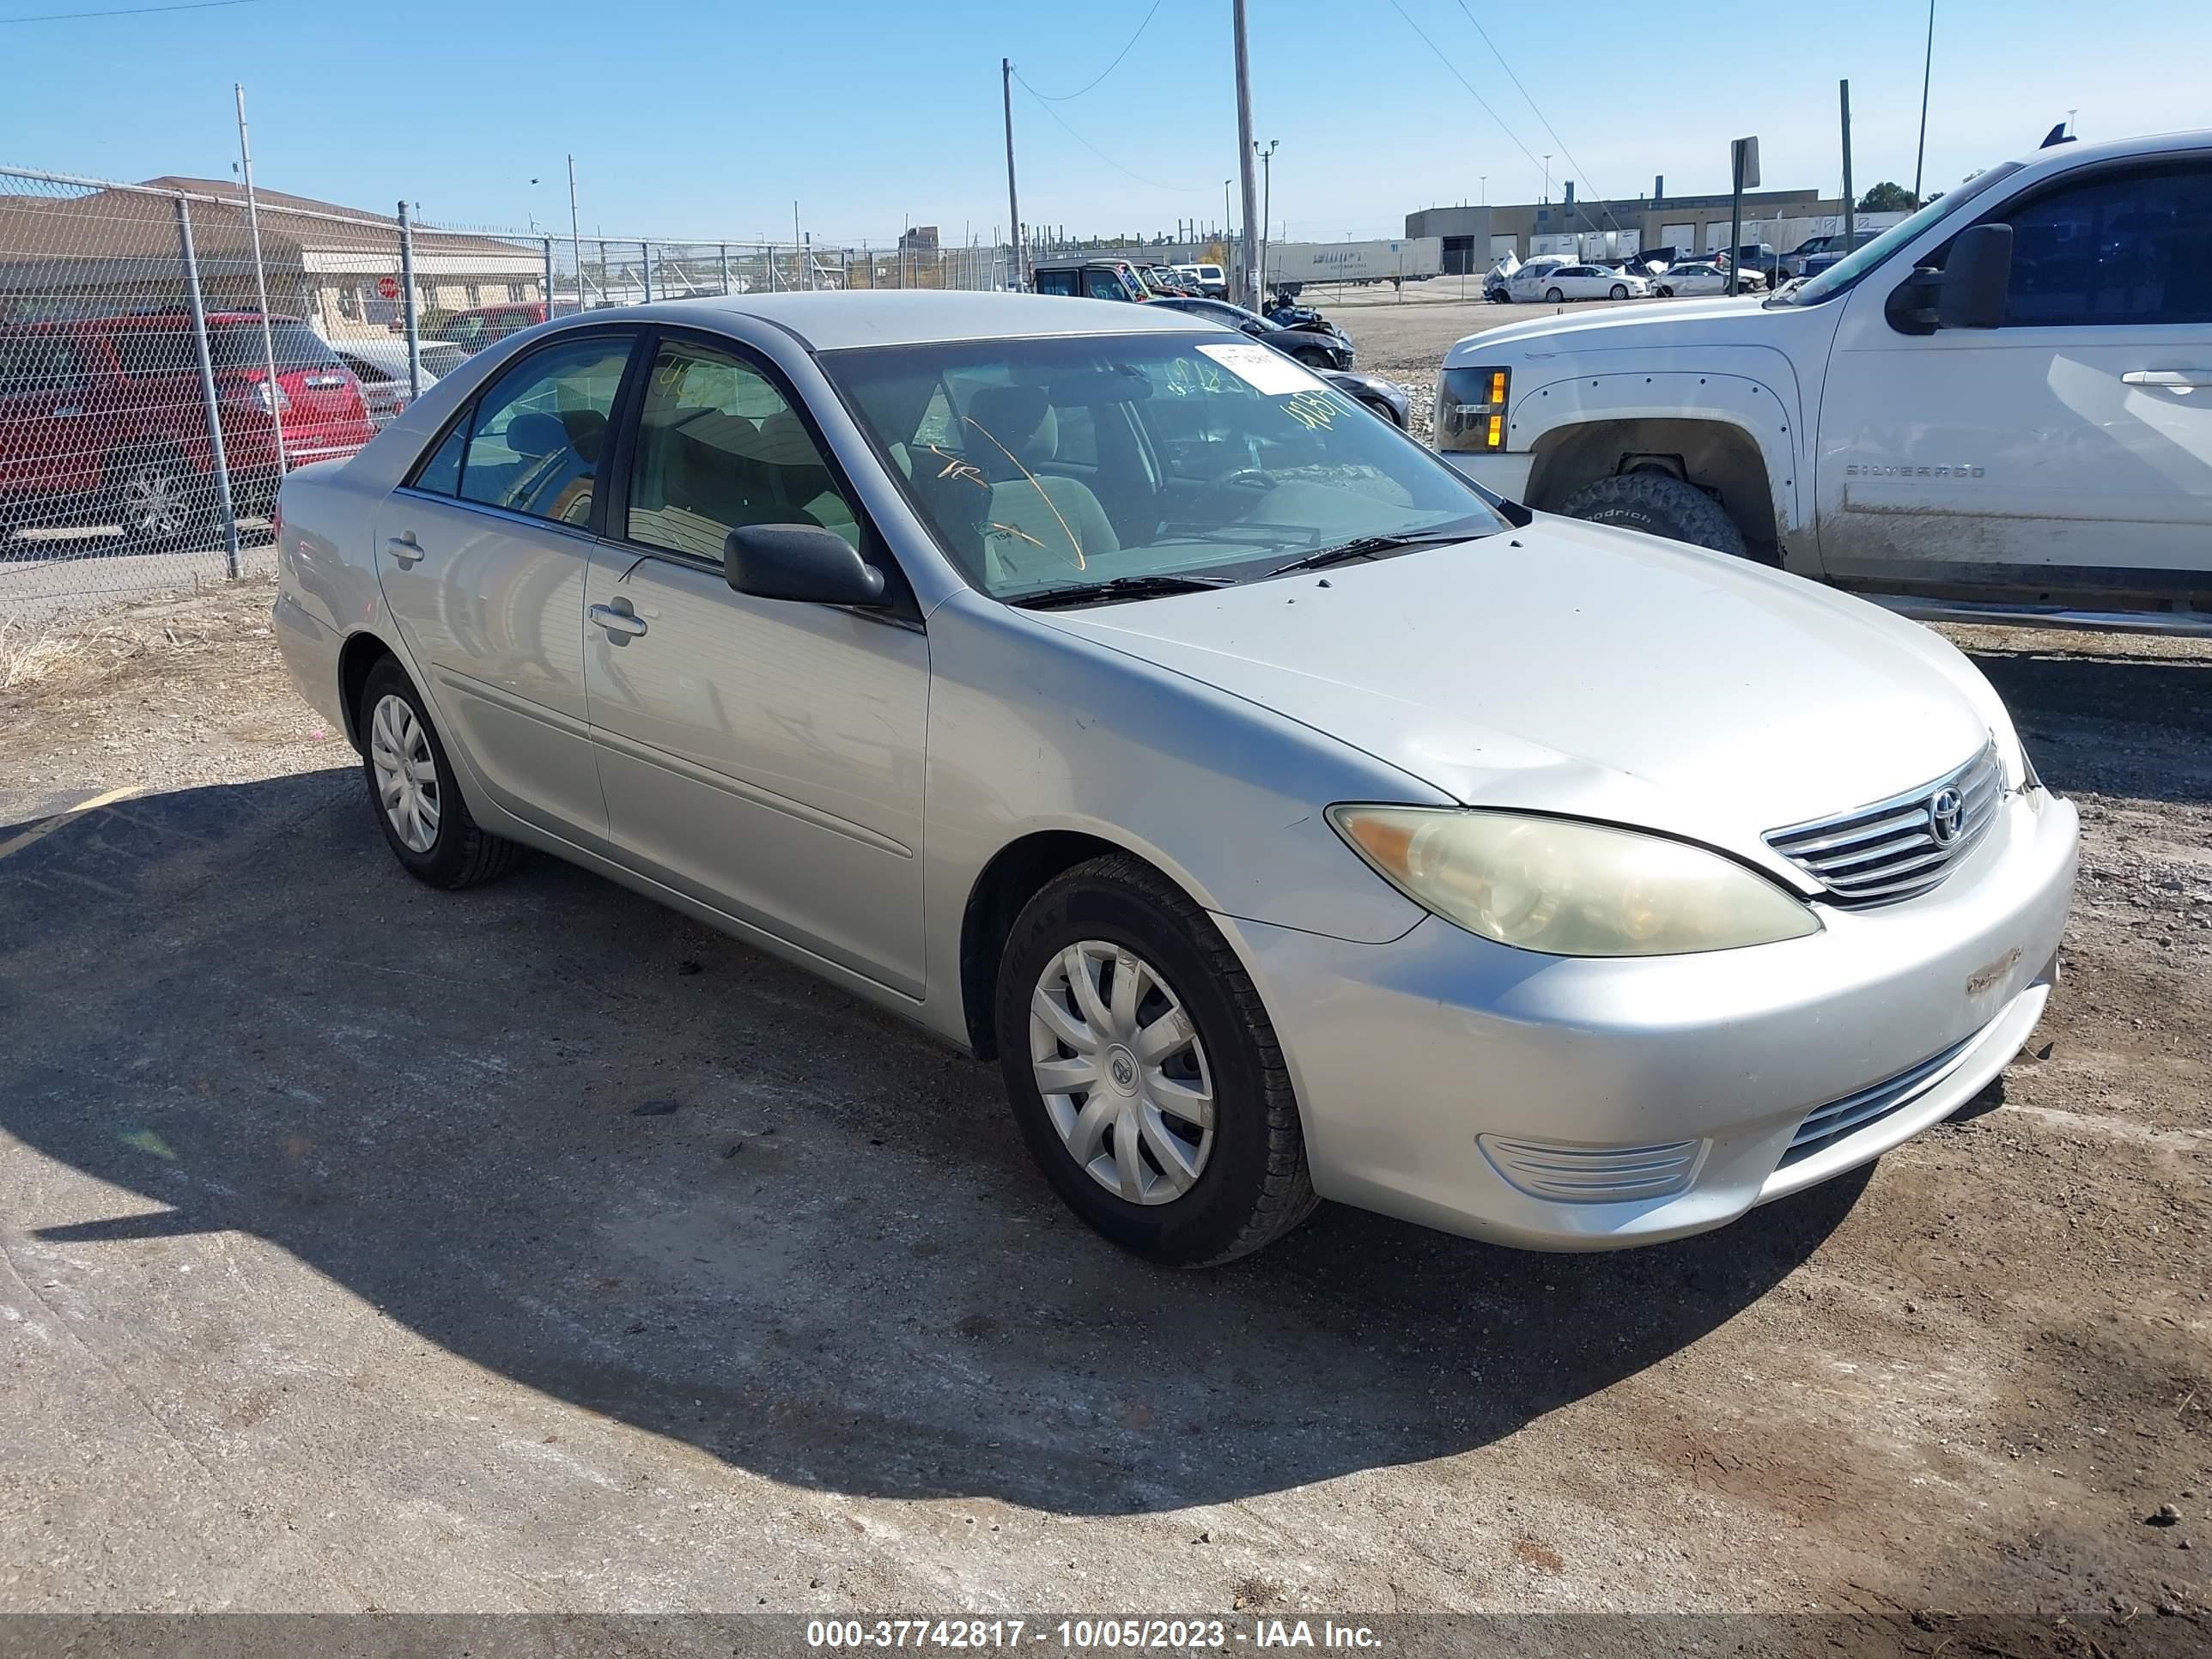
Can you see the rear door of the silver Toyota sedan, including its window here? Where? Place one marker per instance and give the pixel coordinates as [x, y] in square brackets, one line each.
[483, 556]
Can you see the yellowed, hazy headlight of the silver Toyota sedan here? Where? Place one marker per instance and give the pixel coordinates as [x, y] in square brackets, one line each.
[1572, 888]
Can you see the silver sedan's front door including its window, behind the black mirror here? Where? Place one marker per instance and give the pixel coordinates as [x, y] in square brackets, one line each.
[762, 758]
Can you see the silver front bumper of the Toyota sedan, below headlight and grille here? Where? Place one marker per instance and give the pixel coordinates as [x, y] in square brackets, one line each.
[1709, 1065]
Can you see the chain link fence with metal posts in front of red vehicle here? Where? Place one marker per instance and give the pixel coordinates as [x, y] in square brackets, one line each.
[171, 348]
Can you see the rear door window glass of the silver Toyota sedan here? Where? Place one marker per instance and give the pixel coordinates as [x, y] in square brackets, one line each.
[536, 435]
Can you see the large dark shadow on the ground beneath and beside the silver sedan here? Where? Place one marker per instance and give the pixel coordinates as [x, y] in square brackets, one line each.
[632, 1165]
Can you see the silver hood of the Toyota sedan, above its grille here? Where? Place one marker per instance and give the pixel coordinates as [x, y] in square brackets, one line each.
[1592, 671]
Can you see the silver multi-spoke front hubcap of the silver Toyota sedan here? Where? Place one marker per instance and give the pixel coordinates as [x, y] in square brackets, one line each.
[1123, 1072]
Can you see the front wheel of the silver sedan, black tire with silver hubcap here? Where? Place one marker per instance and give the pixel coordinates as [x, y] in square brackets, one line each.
[1244, 1182]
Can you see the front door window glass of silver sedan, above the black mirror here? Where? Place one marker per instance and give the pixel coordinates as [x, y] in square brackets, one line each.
[720, 446]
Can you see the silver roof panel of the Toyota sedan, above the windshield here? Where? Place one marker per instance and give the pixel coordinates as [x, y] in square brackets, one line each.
[831, 322]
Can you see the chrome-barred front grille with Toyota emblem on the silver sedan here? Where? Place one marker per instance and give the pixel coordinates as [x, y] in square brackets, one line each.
[1901, 846]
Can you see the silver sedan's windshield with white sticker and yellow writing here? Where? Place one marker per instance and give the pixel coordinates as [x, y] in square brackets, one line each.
[1052, 463]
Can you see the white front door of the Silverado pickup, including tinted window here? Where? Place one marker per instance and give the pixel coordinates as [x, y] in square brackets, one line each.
[2069, 448]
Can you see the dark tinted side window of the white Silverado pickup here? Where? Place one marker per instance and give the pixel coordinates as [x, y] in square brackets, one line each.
[2116, 249]
